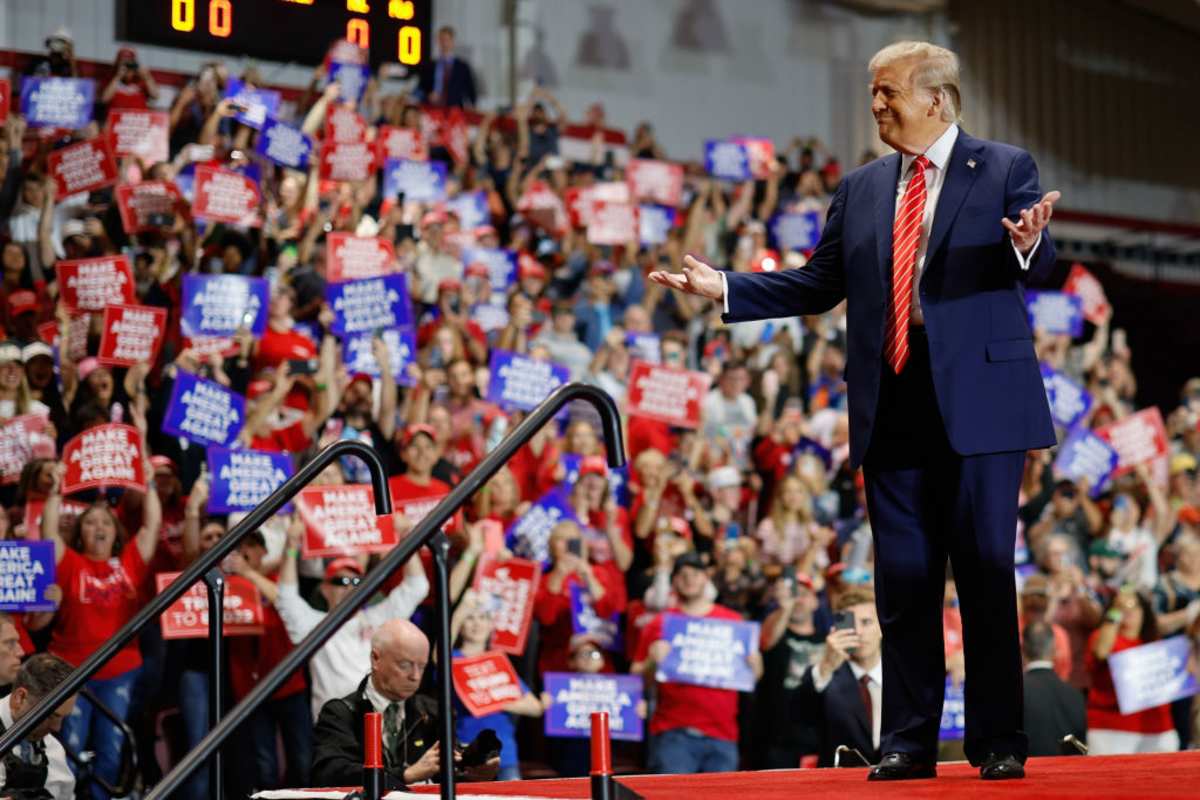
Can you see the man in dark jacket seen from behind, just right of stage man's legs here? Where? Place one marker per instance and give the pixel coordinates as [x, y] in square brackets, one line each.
[1053, 708]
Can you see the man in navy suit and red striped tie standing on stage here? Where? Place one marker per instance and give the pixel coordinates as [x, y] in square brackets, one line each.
[931, 248]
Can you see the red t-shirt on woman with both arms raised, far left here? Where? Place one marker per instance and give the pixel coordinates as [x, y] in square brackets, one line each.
[99, 598]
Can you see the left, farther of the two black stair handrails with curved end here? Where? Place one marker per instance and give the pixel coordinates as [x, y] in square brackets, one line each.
[151, 613]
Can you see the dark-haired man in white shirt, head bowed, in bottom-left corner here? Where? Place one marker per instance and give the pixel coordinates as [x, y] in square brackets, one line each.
[39, 762]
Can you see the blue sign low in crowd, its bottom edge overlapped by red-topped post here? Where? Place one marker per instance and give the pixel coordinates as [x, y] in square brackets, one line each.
[575, 697]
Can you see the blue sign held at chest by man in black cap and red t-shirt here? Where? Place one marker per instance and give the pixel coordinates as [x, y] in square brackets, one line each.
[709, 652]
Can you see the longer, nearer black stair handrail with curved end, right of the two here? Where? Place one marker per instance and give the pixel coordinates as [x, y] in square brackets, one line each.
[418, 538]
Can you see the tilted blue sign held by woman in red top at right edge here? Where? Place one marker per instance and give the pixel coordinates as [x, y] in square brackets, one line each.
[1153, 675]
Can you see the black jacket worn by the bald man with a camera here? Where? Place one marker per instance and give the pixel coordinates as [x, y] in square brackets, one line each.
[338, 754]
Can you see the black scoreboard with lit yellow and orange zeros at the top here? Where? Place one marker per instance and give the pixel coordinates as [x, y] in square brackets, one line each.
[283, 31]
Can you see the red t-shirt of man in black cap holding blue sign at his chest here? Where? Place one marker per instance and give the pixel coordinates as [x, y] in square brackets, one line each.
[713, 712]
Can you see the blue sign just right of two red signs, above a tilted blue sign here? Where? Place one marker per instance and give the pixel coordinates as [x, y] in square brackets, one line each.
[218, 305]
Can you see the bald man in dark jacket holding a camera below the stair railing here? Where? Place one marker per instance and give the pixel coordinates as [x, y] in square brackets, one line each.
[400, 653]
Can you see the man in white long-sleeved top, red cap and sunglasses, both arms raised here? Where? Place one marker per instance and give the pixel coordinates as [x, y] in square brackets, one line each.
[339, 667]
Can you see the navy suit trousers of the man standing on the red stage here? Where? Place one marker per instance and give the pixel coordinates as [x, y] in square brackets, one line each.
[927, 504]
